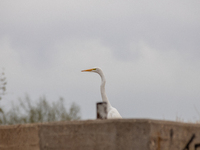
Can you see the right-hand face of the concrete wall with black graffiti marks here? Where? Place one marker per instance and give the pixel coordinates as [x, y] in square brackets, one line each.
[174, 136]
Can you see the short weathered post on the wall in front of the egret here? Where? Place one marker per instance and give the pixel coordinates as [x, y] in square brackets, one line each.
[102, 110]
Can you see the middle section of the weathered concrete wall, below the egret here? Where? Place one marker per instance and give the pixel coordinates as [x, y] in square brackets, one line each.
[95, 135]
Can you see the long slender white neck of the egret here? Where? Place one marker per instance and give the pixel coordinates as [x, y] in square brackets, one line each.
[103, 92]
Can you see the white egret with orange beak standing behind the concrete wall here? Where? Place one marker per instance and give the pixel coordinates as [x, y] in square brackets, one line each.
[112, 112]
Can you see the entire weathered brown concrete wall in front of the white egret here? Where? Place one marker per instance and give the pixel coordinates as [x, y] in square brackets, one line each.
[124, 134]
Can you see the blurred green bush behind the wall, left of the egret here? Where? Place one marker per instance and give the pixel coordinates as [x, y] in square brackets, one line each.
[42, 111]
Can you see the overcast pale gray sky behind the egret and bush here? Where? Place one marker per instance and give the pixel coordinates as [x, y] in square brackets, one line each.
[149, 52]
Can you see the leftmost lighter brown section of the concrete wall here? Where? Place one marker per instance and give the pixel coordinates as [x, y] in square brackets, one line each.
[19, 137]
